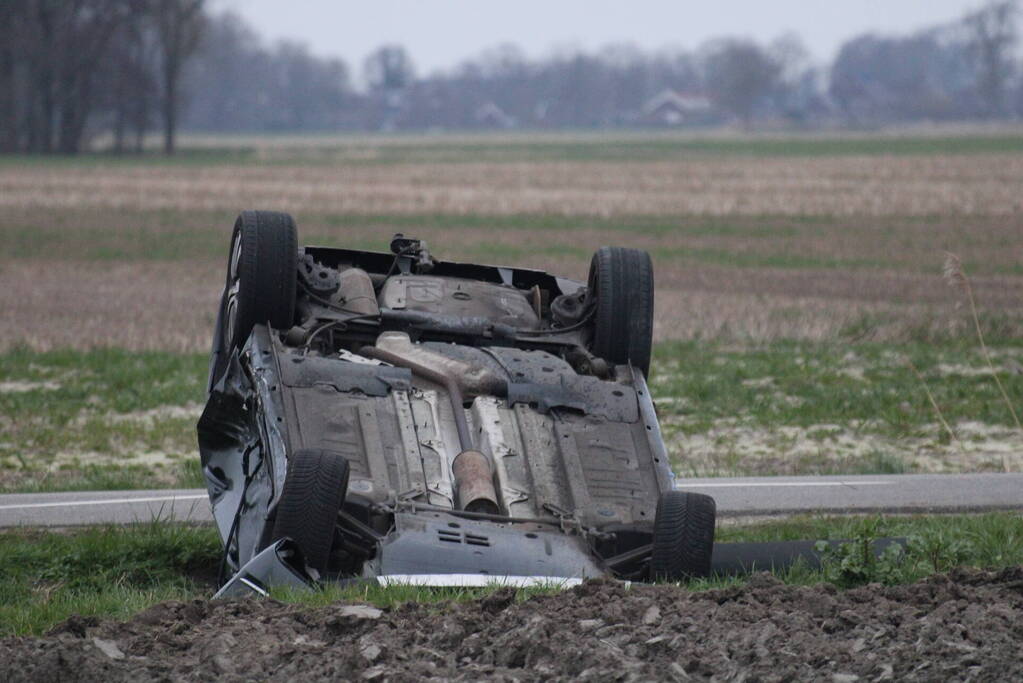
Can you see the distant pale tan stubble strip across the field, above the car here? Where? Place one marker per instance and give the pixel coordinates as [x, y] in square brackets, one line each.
[867, 187]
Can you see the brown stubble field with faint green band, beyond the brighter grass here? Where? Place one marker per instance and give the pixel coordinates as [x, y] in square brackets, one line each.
[745, 248]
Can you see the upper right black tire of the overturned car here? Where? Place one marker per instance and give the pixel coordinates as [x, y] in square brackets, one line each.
[621, 281]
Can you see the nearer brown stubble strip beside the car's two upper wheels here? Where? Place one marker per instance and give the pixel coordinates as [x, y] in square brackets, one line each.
[171, 306]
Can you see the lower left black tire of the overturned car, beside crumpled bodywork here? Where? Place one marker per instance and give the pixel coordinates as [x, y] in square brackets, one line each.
[315, 491]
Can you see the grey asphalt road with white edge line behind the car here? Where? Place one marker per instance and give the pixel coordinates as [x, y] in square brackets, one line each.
[741, 497]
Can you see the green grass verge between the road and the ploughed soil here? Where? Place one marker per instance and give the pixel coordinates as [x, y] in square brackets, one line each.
[114, 573]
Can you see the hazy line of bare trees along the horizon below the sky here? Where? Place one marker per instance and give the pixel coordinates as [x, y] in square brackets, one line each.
[74, 70]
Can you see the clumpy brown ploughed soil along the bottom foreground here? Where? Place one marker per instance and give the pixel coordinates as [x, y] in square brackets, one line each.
[967, 626]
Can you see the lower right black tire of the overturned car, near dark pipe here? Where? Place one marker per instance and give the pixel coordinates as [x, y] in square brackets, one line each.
[684, 536]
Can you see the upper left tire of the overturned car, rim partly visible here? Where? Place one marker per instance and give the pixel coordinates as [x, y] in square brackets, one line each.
[262, 275]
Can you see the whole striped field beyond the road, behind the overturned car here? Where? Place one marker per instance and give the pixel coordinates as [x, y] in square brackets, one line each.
[804, 322]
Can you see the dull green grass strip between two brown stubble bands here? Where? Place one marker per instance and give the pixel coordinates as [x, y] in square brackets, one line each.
[103, 237]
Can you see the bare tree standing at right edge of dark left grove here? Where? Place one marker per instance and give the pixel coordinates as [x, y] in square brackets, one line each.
[179, 28]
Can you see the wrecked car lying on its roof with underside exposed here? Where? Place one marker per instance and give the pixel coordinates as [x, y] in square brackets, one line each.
[397, 418]
